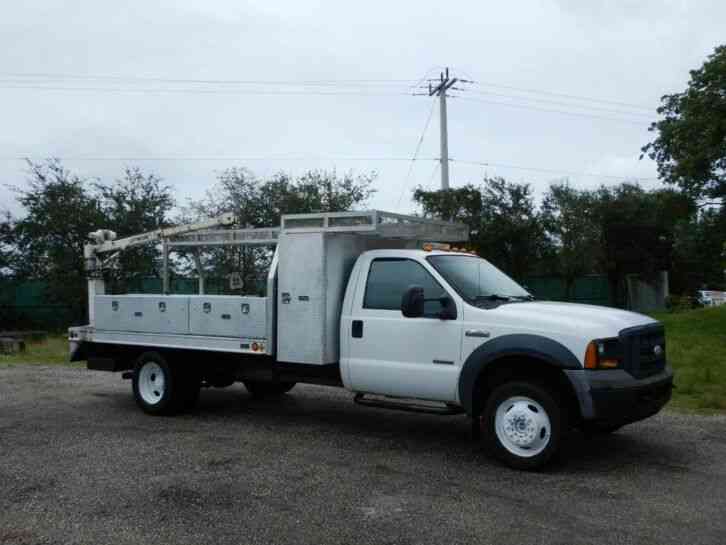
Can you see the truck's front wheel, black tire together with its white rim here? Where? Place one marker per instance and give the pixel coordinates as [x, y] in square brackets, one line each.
[522, 424]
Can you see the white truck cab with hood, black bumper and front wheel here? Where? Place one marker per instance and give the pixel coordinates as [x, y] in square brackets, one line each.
[450, 327]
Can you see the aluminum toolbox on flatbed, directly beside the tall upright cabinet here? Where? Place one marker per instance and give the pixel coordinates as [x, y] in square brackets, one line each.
[228, 316]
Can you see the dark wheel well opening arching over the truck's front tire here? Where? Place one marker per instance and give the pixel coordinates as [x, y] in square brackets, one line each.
[510, 368]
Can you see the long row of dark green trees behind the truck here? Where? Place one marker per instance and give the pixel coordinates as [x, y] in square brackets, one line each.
[570, 232]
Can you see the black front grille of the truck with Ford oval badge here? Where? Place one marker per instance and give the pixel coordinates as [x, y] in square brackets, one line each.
[644, 350]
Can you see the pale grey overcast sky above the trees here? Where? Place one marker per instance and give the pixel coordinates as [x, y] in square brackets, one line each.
[620, 55]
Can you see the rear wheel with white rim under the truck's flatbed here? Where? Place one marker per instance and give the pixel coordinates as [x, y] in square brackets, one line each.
[162, 389]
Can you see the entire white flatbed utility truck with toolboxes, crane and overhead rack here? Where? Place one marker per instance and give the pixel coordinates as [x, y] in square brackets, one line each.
[365, 301]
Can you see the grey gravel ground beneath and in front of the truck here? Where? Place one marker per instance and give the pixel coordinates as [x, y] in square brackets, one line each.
[79, 463]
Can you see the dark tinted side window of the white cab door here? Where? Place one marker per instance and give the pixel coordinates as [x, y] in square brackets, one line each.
[388, 279]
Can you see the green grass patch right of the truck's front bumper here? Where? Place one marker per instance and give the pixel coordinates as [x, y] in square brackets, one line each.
[696, 348]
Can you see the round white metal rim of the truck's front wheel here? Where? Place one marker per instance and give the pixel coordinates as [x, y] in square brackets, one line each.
[522, 426]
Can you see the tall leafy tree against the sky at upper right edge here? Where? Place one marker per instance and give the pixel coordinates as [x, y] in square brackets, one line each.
[690, 147]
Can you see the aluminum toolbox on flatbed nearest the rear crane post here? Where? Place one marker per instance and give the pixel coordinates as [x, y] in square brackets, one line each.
[142, 313]
